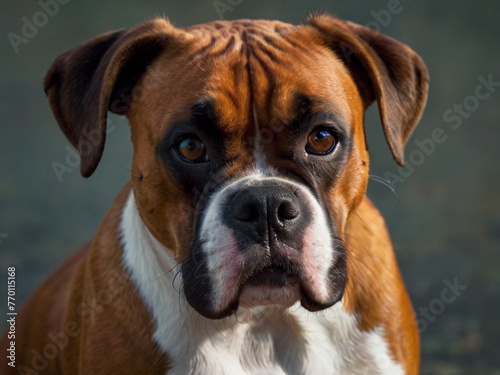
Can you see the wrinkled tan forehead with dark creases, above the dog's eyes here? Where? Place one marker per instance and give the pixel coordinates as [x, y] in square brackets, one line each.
[256, 72]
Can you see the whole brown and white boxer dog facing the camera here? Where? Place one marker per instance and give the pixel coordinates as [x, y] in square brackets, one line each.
[244, 242]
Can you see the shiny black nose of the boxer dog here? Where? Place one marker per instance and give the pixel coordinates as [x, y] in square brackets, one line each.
[259, 210]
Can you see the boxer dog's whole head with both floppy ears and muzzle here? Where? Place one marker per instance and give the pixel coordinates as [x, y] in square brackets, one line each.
[249, 146]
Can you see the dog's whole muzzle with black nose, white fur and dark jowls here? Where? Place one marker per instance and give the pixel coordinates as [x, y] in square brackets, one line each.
[263, 241]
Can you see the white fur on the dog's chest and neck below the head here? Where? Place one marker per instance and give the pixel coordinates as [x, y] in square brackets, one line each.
[266, 341]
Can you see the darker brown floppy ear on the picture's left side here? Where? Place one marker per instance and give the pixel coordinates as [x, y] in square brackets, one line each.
[86, 81]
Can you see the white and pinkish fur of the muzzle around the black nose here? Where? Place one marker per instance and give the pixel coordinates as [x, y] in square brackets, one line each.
[227, 254]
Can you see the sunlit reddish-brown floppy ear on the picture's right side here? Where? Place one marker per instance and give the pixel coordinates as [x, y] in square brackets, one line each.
[384, 70]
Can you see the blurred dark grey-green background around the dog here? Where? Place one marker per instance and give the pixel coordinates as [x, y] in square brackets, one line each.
[445, 224]
